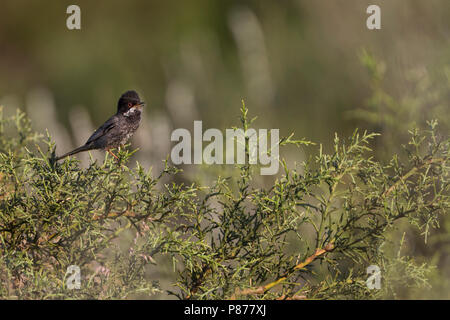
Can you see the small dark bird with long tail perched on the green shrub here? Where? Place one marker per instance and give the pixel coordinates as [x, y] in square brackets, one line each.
[118, 129]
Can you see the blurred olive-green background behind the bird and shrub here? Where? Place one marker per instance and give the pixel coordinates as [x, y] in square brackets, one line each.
[304, 66]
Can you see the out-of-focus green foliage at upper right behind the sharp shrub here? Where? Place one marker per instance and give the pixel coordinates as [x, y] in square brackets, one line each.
[394, 116]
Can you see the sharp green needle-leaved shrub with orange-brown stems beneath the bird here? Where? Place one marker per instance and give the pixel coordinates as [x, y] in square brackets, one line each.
[311, 234]
